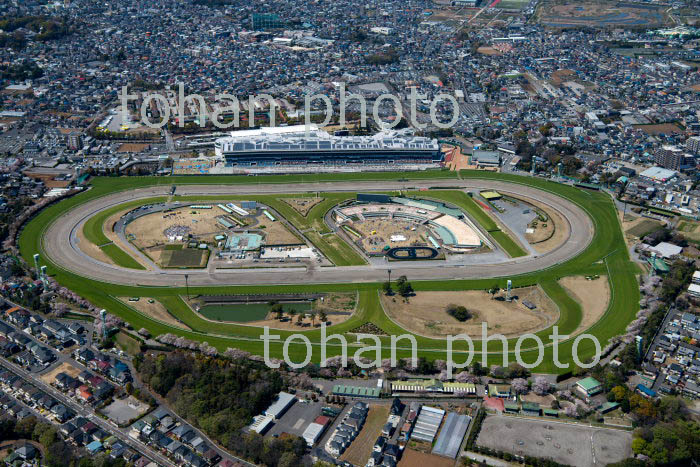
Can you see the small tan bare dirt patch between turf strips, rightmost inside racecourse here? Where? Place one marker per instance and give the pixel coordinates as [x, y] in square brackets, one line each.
[593, 296]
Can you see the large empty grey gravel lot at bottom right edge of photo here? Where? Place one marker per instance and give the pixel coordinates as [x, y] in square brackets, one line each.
[565, 443]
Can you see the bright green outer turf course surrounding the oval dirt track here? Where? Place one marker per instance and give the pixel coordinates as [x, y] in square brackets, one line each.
[606, 254]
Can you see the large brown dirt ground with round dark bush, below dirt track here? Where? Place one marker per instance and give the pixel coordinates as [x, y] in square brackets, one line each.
[425, 312]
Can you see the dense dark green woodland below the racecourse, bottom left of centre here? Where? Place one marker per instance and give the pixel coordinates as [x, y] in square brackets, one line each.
[220, 397]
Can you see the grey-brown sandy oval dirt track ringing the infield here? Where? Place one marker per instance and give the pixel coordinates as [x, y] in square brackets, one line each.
[60, 240]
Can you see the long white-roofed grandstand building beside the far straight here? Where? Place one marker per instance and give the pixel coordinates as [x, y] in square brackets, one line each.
[294, 145]
